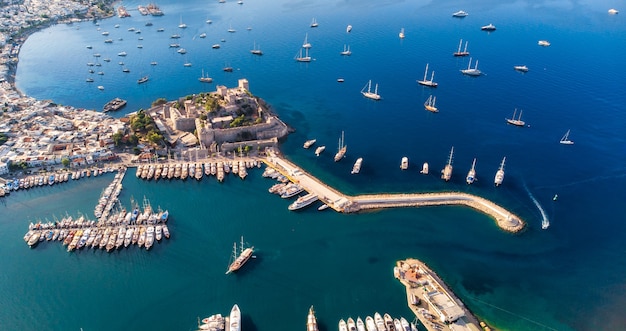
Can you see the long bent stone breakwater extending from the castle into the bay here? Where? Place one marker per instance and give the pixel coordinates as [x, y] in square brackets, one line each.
[348, 204]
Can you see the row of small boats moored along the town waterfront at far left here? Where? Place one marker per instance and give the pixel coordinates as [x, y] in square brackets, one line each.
[51, 179]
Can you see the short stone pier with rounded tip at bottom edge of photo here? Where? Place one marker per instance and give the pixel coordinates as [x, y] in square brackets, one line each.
[432, 302]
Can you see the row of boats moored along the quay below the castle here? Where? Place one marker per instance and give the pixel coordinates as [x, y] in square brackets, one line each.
[195, 169]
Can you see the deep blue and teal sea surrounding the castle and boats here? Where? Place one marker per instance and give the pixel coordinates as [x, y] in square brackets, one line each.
[569, 276]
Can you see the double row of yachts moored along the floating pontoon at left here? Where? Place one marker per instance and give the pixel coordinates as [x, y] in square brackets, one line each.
[120, 229]
